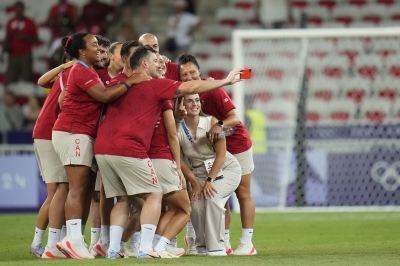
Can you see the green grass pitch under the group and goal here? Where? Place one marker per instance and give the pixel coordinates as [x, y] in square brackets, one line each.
[280, 239]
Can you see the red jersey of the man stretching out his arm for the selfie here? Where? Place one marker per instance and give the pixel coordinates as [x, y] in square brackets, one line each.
[131, 119]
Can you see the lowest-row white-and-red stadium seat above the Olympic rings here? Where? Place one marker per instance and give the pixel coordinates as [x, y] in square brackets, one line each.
[375, 111]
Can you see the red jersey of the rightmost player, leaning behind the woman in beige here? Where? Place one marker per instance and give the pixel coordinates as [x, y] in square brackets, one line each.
[217, 103]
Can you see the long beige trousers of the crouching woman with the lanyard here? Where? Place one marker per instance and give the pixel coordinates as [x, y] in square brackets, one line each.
[208, 215]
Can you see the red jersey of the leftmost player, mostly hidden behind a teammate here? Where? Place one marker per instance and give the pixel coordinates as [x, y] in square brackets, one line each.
[50, 110]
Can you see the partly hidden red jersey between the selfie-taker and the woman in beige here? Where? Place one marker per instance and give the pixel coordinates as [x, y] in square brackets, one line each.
[159, 147]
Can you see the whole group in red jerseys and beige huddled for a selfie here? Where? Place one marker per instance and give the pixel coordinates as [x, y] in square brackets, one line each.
[138, 142]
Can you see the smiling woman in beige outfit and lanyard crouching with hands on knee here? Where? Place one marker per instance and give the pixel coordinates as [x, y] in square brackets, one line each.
[216, 174]
